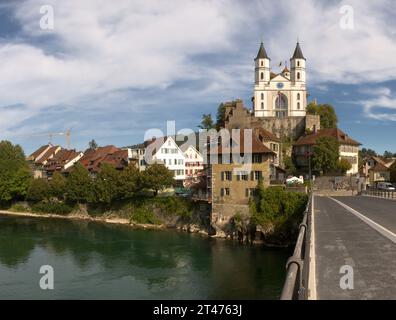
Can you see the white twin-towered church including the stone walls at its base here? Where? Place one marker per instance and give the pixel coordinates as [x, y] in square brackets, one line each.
[279, 100]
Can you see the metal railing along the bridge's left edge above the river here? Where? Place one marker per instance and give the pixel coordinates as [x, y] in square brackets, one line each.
[296, 283]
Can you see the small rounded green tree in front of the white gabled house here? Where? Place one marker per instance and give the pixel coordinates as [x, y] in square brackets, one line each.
[157, 177]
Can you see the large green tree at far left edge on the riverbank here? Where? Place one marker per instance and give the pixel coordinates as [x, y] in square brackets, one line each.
[15, 173]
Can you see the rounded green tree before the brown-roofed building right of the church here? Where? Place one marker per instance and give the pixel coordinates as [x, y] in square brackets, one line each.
[325, 154]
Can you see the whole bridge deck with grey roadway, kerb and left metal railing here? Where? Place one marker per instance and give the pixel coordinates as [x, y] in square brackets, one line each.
[346, 249]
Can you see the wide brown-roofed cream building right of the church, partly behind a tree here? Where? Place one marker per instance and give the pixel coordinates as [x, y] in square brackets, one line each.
[349, 148]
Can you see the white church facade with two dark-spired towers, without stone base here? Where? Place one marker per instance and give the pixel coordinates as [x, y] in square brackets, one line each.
[280, 95]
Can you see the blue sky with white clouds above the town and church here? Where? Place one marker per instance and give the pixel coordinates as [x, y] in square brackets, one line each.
[111, 70]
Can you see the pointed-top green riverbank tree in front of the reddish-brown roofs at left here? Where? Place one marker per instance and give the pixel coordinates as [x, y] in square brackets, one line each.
[79, 184]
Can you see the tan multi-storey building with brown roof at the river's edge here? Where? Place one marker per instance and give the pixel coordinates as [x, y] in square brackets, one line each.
[232, 173]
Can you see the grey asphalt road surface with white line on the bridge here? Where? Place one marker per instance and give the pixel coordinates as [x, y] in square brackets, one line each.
[359, 232]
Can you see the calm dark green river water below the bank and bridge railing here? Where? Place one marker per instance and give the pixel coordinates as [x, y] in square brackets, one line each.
[101, 261]
